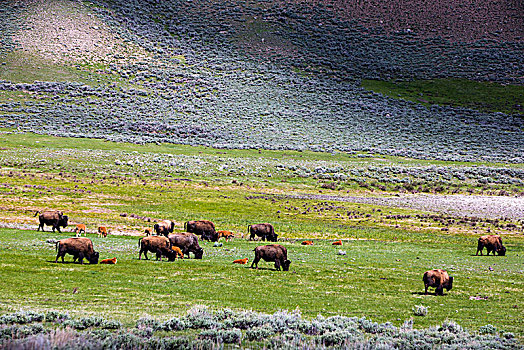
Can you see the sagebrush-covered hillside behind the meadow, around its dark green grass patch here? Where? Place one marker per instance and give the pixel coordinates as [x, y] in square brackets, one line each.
[271, 75]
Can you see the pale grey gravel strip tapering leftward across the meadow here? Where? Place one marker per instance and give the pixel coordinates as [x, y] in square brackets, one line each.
[489, 207]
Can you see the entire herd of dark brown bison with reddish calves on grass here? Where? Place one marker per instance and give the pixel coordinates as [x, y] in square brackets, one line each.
[177, 245]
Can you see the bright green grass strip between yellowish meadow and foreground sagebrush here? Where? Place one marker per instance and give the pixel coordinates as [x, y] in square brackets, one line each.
[378, 279]
